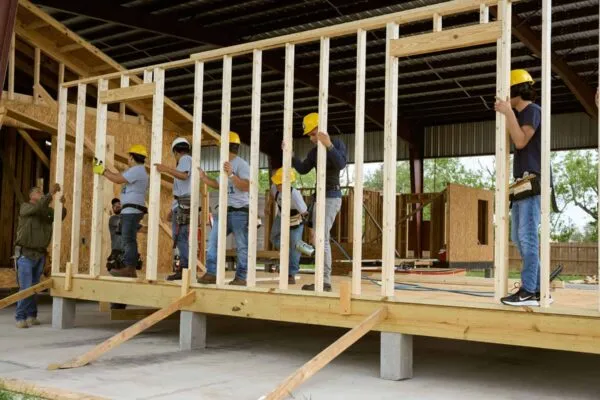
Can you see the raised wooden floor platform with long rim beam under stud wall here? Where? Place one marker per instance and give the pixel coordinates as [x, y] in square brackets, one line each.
[571, 323]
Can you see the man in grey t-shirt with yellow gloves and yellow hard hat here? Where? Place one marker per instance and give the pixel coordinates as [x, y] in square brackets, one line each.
[134, 183]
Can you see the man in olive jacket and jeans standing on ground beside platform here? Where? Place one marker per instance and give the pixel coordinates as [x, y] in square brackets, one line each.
[34, 232]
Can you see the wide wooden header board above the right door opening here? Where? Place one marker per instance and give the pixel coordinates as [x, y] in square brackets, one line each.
[450, 39]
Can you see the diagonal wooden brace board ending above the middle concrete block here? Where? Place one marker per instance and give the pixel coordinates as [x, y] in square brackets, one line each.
[127, 334]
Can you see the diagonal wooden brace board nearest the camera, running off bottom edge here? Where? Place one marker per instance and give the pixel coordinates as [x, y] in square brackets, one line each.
[326, 356]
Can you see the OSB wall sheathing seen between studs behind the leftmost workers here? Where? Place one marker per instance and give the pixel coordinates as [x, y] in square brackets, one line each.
[125, 134]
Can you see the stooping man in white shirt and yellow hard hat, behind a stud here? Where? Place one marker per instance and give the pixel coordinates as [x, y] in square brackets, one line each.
[298, 210]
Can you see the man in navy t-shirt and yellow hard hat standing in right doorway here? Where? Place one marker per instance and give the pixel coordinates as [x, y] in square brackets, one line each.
[523, 122]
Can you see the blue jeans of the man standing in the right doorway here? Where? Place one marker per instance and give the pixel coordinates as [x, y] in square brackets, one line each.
[525, 220]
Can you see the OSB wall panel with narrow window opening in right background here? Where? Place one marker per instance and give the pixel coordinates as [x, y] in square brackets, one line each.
[463, 245]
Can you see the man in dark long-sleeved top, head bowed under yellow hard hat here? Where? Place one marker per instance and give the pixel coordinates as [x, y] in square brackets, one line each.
[336, 162]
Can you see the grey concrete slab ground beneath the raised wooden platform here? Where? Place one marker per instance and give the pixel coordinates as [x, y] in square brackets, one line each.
[245, 359]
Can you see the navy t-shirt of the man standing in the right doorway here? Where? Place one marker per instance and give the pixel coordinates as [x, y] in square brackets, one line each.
[528, 159]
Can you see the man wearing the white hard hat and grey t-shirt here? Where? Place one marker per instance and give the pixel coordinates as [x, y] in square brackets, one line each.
[180, 208]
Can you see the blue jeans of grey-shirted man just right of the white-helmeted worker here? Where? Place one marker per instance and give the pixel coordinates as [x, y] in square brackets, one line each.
[237, 223]
